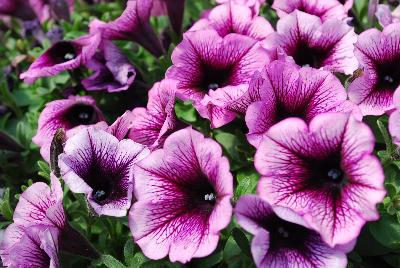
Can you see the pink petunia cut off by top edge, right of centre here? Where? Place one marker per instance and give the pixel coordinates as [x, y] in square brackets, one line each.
[327, 9]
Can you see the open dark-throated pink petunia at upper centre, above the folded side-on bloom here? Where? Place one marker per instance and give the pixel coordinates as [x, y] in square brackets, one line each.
[221, 66]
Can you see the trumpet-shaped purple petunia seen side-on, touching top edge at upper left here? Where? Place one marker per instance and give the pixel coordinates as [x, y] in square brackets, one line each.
[134, 25]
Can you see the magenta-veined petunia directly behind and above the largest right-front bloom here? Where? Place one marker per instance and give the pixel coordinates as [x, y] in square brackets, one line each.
[285, 90]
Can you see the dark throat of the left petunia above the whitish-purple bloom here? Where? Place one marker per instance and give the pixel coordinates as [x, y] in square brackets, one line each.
[81, 114]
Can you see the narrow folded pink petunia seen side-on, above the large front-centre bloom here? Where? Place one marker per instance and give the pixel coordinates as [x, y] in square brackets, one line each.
[152, 125]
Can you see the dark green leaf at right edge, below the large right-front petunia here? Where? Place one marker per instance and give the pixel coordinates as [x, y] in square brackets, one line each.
[387, 231]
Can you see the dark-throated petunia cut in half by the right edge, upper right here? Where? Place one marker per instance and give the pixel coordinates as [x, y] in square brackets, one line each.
[379, 56]
